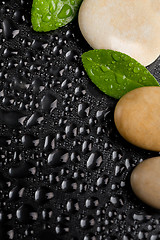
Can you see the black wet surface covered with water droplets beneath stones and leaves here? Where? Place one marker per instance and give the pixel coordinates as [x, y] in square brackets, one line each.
[64, 169]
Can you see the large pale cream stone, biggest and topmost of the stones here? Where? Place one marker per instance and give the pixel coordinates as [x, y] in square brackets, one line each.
[128, 26]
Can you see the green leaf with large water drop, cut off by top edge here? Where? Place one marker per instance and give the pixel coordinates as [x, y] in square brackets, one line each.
[47, 15]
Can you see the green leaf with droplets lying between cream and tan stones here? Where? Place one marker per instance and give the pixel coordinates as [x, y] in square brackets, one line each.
[116, 73]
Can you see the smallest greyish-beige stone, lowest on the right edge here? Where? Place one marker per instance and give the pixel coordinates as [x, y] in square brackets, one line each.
[145, 181]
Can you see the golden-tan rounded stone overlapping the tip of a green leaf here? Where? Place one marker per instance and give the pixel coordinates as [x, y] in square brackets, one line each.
[137, 117]
